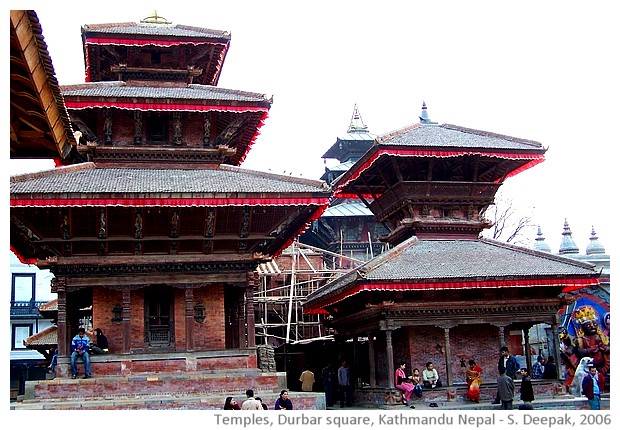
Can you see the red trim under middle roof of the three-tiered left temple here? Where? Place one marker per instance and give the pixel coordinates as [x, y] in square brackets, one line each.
[73, 104]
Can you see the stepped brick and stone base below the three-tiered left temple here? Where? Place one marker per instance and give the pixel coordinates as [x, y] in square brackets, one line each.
[176, 390]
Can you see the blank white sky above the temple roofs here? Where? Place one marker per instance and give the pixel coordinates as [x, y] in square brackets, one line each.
[545, 71]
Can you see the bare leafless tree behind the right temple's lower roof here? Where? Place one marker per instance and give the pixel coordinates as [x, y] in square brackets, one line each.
[511, 223]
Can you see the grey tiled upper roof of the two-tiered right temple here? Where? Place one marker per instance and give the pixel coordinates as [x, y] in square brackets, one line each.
[452, 136]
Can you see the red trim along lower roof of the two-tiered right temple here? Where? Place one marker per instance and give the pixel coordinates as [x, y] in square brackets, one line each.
[569, 284]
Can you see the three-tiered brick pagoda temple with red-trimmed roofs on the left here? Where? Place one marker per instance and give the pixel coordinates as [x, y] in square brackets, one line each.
[150, 226]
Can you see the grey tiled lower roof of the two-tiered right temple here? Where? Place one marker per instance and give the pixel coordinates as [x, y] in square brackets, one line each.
[441, 260]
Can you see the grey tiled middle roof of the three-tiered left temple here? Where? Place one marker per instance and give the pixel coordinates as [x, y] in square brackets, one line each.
[119, 89]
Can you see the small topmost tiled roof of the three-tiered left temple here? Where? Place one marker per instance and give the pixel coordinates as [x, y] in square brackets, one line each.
[154, 30]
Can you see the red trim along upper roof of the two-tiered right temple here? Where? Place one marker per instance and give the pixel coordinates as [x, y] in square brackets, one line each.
[535, 159]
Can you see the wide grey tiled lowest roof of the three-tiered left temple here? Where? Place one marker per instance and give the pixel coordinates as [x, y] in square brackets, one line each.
[88, 180]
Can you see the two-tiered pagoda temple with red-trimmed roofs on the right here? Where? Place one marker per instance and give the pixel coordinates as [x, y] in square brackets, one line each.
[442, 293]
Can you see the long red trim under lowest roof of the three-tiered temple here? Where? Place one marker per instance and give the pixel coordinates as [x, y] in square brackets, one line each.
[182, 202]
